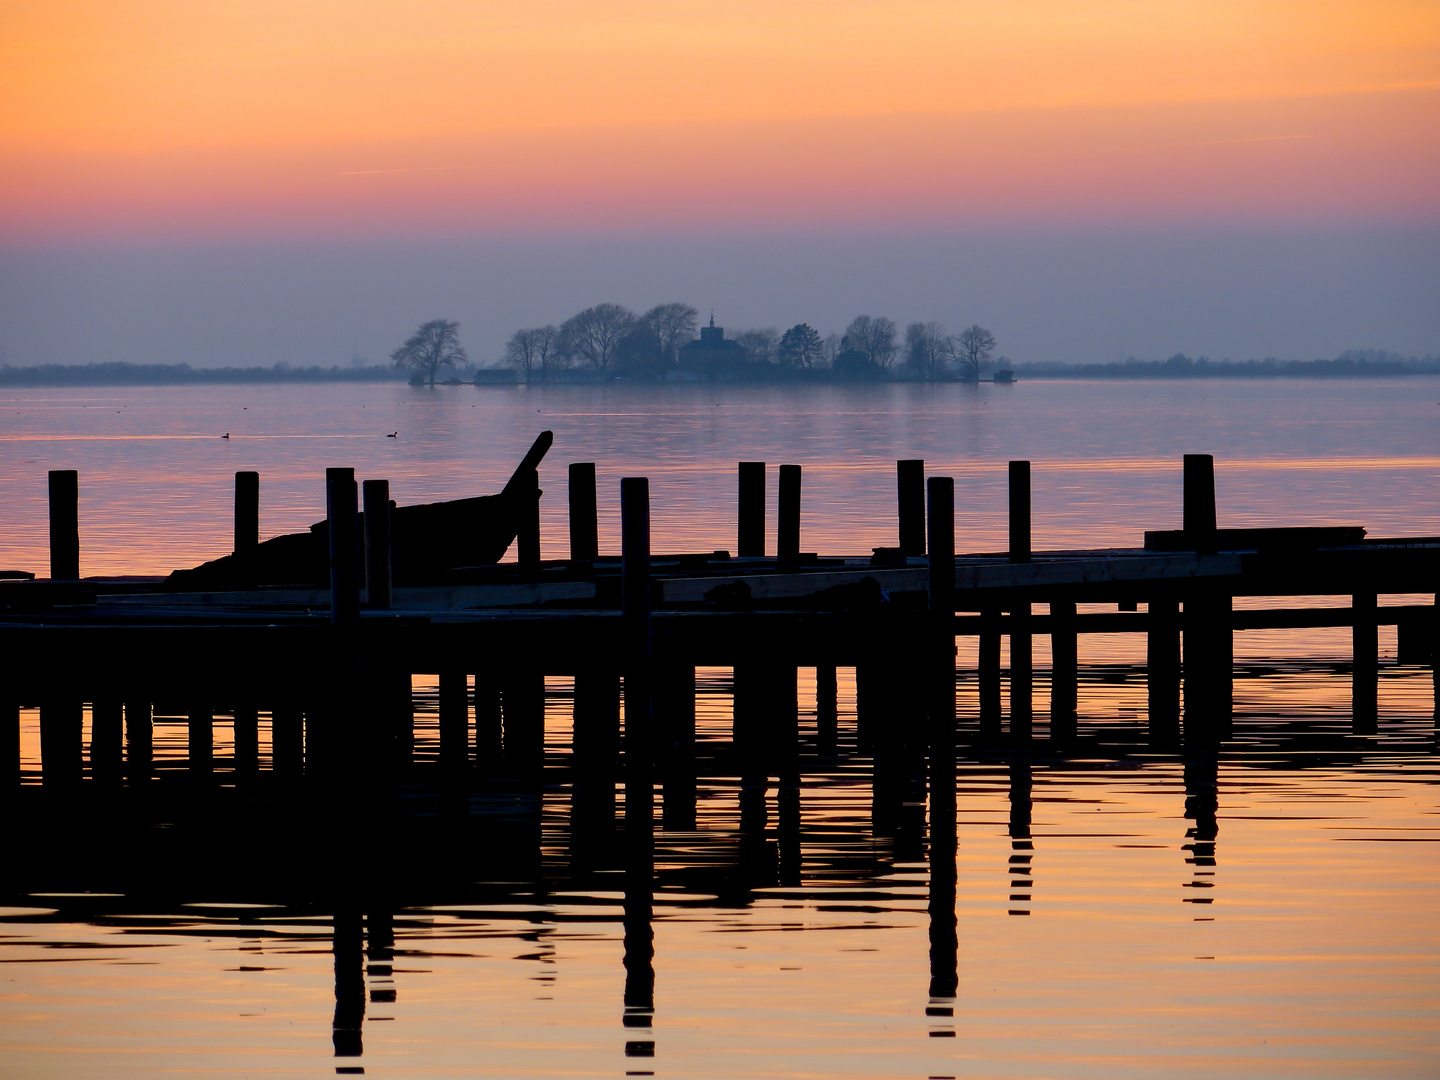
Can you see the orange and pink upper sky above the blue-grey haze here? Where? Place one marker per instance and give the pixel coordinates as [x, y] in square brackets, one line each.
[198, 116]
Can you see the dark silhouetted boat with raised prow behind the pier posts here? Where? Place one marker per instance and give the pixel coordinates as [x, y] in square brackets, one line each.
[427, 541]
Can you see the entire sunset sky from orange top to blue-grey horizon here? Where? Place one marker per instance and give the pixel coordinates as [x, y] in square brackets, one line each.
[1027, 152]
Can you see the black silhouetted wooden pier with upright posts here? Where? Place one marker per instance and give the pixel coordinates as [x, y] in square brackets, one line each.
[332, 667]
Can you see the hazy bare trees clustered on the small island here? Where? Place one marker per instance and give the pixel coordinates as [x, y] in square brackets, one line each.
[613, 342]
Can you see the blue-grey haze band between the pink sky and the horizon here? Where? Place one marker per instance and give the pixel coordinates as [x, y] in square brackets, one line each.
[1052, 294]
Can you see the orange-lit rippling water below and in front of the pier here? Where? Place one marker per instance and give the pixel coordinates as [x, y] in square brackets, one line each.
[791, 928]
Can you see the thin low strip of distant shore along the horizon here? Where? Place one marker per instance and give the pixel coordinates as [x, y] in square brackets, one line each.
[1170, 371]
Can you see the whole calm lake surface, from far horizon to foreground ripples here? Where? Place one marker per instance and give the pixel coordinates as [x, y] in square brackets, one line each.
[1121, 914]
